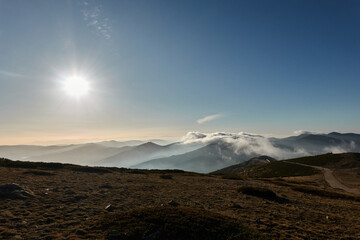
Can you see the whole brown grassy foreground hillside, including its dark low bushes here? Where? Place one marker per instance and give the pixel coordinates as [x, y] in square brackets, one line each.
[66, 201]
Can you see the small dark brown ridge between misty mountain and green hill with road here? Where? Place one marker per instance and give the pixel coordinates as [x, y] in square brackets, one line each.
[237, 168]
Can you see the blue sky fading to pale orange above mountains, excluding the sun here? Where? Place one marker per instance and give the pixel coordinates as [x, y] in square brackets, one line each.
[159, 69]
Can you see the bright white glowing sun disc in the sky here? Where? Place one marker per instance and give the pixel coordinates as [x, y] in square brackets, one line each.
[76, 86]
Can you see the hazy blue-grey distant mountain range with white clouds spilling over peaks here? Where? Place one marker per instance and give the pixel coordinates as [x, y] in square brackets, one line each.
[201, 153]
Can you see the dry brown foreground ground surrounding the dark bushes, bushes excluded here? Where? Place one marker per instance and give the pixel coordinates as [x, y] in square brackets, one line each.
[70, 204]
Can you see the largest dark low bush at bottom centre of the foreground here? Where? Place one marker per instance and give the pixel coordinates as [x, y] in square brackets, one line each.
[175, 223]
